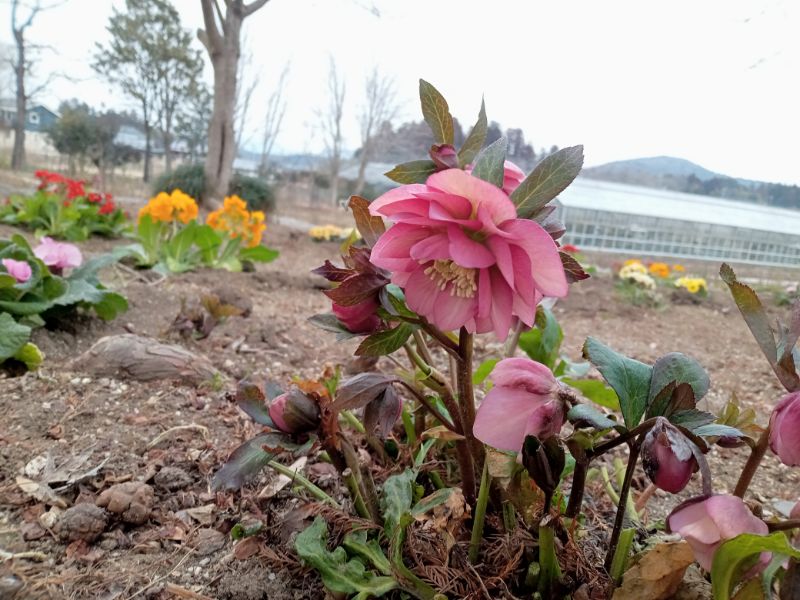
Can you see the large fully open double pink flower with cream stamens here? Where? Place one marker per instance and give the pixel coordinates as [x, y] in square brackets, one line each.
[463, 257]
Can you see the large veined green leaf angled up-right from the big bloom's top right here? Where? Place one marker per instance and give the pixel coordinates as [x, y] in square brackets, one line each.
[547, 180]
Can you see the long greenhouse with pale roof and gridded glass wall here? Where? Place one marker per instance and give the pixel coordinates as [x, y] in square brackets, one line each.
[614, 217]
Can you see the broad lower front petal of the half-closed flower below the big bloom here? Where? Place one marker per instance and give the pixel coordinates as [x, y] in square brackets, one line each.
[502, 418]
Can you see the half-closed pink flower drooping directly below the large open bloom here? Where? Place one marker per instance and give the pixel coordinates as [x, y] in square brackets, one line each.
[524, 401]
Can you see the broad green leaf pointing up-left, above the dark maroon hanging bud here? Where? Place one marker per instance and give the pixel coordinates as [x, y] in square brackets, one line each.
[629, 378]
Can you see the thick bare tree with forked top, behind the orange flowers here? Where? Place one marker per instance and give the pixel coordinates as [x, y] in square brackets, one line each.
[221, 37]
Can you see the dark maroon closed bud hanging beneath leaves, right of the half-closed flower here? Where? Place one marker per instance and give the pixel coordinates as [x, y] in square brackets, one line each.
[667, 457]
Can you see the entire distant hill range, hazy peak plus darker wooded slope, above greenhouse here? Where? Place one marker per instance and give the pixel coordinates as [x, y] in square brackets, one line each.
[670, 173]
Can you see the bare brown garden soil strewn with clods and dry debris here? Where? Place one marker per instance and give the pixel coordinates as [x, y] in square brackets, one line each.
[100, 431]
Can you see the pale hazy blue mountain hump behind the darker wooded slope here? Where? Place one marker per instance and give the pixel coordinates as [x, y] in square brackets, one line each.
[648, 169]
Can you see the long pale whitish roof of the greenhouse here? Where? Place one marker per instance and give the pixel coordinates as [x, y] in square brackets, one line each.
[635, 200]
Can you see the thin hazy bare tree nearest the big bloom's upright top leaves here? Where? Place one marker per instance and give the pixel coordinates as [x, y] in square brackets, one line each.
[380, 106]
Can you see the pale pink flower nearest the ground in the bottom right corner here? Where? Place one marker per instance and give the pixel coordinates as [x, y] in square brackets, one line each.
[707, 521]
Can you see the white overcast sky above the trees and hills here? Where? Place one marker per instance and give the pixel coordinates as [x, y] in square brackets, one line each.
[713, 81]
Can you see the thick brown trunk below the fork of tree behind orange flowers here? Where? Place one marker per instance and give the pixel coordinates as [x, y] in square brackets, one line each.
[221, 136]
